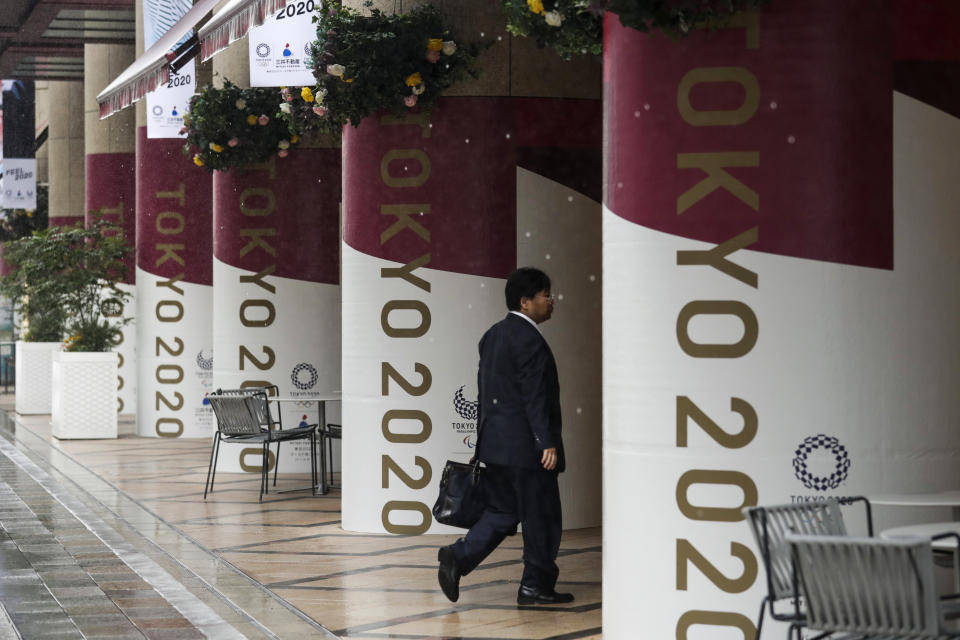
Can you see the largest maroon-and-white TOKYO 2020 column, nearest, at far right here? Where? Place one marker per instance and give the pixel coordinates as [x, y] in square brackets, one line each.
[778, 325]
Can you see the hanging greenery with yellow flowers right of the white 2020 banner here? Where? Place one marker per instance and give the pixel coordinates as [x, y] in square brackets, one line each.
[366, 63]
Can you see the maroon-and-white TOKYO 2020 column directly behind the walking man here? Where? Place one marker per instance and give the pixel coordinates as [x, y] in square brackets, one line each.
[437, 213]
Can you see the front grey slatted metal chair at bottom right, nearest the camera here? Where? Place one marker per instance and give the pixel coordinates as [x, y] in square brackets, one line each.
[870, 588]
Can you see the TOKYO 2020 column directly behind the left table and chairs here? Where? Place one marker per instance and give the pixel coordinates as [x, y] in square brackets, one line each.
[277, 280]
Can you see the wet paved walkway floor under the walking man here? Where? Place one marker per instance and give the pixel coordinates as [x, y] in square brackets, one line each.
[229, 567]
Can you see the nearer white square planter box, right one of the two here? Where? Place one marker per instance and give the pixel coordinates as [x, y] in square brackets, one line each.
[84, 396]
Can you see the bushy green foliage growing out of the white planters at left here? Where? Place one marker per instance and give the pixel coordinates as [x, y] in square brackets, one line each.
[64, 280]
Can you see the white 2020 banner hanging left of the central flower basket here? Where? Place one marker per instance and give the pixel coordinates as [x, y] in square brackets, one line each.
[280, 48]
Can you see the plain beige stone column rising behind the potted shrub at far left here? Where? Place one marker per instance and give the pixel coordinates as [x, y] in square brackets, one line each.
[66, 154]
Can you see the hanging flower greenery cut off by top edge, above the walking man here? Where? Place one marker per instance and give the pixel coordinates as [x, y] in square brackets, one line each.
[572, 27]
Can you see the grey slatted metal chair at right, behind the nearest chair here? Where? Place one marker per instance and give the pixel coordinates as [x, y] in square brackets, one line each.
[770, 526]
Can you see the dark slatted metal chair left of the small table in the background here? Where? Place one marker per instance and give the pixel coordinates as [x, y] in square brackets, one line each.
[241, 418]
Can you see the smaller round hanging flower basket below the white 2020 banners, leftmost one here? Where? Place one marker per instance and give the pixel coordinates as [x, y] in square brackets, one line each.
[234, 127]
